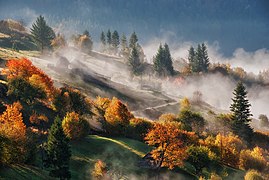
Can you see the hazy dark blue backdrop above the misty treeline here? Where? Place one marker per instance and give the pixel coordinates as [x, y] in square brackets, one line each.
[233, 23]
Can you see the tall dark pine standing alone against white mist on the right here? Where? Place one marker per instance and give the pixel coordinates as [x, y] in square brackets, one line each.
[241, 116]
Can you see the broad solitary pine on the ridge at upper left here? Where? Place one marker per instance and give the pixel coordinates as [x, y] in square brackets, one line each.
[42, 34]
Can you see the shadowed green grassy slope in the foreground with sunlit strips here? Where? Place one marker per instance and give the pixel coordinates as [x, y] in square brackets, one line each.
[120, 154]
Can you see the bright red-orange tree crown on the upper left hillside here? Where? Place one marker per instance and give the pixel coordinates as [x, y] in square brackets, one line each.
[23, 68]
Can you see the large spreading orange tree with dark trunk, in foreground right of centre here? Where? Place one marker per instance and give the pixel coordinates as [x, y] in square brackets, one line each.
[169, 149]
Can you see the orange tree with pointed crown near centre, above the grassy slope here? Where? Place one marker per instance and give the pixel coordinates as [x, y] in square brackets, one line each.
[117, 117]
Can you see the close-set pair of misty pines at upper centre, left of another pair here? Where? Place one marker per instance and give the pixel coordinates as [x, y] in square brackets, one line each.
[162, 62]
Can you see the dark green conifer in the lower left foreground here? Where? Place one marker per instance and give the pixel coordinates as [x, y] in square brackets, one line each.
[58, 151]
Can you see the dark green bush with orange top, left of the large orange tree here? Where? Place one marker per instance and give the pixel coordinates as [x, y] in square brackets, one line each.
[138, 128]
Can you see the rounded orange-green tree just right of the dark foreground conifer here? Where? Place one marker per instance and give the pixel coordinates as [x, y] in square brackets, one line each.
[74, 126]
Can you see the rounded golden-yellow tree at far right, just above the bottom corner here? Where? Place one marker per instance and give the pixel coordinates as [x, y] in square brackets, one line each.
[254, 159]
